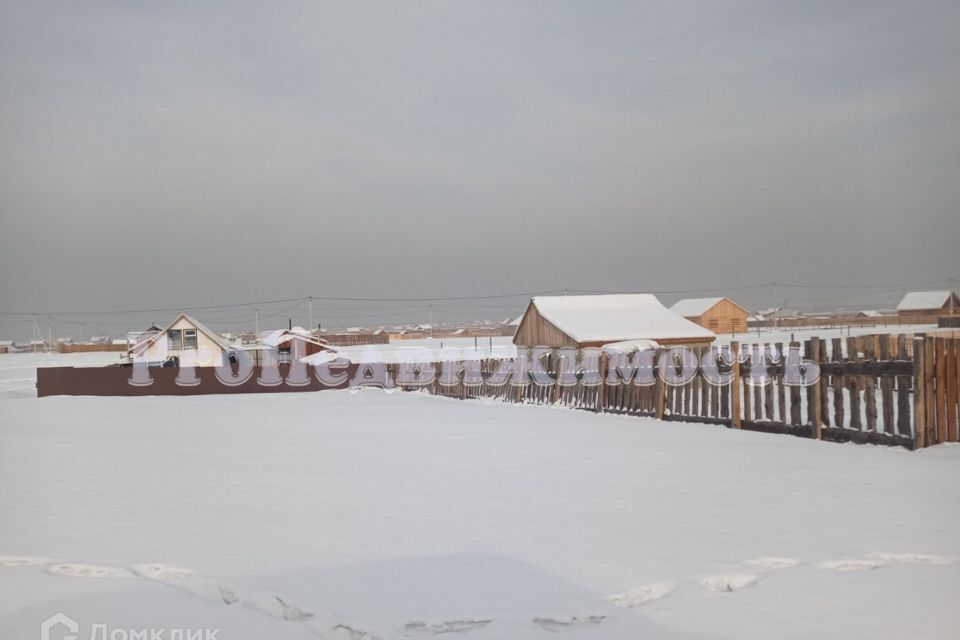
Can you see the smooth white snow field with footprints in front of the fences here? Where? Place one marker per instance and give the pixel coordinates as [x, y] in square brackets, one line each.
[334, 514]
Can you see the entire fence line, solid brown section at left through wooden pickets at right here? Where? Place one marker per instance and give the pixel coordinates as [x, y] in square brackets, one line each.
[883, 389]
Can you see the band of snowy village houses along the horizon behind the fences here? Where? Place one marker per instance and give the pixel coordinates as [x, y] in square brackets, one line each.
[553, 321]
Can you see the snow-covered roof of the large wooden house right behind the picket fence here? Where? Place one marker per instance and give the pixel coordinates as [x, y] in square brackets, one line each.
[614, 318]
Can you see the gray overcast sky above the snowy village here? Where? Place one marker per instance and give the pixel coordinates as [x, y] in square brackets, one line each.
[170, 154]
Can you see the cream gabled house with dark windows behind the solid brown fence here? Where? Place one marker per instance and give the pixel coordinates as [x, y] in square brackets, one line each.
[186, 339]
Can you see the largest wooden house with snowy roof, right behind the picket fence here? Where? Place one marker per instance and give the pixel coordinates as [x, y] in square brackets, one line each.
[593, 321]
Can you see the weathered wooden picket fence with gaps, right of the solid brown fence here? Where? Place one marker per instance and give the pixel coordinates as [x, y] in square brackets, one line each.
[881, 389]
